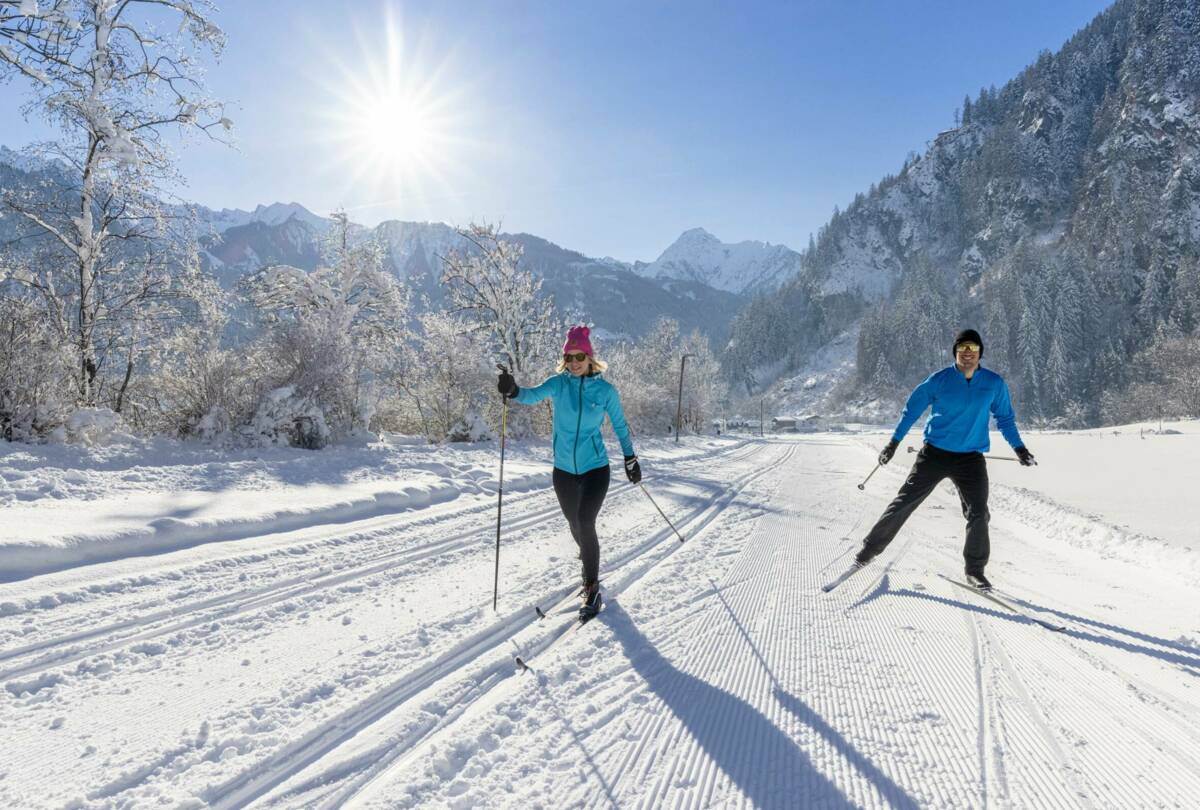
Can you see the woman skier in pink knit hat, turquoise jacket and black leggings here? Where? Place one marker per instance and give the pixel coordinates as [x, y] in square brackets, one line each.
[581, 464]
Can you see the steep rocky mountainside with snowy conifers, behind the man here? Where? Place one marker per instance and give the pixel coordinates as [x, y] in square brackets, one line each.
[1061, 219]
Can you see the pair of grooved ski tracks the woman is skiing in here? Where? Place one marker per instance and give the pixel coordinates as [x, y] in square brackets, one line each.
[292, 760]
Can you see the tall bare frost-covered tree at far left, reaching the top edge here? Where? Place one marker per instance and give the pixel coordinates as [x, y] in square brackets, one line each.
[112, 77]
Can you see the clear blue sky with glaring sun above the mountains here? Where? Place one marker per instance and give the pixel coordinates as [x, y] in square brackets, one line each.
[608, 128]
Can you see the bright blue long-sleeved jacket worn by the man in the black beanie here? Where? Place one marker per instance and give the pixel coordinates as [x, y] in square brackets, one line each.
[962, 410]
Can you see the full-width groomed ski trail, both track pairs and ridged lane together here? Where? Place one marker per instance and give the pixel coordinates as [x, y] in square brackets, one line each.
[353, 665]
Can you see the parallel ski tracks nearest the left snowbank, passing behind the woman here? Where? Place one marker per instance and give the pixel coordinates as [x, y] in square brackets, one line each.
[233, 604]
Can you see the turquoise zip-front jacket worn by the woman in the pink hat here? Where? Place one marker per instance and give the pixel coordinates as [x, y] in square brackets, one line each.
[580, 409]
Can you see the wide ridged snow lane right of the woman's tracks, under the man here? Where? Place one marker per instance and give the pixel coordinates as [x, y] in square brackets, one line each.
[727, 679]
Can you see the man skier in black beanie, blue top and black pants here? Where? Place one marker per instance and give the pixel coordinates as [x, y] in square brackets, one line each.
[963, 398]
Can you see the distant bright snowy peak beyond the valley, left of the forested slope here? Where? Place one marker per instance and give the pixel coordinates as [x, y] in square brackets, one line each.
[743, 268]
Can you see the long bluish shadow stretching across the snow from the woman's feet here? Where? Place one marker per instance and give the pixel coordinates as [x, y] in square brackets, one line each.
[763, 761]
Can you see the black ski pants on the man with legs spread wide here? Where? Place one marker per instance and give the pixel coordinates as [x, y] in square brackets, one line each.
[969, 472]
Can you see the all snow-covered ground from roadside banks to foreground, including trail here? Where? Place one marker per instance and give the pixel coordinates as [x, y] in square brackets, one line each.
[182, 627]
